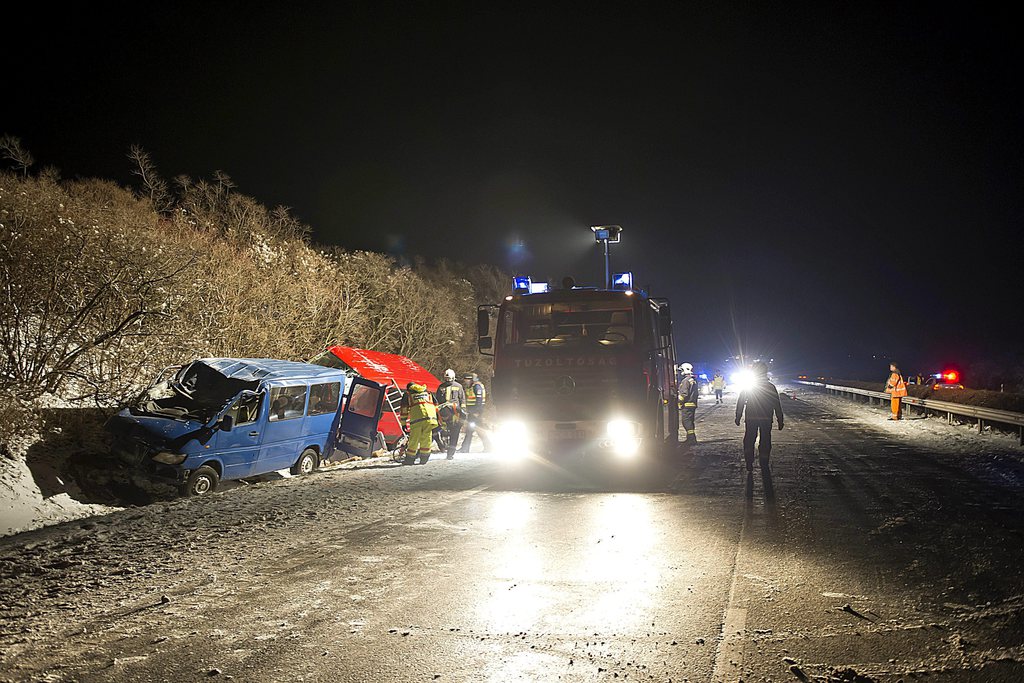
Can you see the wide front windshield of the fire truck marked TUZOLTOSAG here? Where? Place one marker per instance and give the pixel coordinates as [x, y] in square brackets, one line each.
[570, 324]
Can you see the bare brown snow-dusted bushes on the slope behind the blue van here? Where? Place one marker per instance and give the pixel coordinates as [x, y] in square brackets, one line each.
[101, 288]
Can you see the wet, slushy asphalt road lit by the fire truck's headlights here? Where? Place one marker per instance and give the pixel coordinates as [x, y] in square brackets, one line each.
[870, 559]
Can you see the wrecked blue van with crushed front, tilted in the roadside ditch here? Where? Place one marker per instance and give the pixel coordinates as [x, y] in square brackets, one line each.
[218, 419]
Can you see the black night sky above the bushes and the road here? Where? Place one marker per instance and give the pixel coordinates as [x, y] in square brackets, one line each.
[818, 182]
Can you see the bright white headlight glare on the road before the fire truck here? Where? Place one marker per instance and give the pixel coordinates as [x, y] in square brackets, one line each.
[588, 562]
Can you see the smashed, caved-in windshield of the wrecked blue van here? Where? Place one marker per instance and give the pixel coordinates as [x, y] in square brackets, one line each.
[197, 392]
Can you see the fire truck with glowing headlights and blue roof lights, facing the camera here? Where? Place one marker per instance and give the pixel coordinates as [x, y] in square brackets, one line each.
[582, 371]
